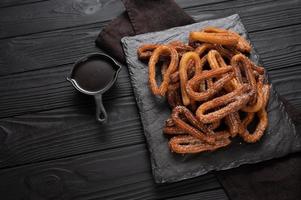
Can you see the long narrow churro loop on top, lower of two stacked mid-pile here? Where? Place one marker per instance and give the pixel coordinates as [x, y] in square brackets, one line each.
[234, 101]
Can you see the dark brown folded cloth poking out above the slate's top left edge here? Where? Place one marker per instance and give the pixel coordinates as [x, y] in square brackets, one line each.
[140, 17]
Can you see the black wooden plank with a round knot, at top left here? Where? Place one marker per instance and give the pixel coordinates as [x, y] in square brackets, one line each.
[53, 14]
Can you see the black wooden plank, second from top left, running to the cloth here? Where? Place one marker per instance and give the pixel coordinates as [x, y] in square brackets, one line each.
[47, 49]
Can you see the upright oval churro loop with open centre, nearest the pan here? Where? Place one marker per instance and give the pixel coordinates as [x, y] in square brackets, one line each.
[172, 67]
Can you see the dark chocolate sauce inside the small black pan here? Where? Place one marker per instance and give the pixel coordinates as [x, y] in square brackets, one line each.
[94, 74]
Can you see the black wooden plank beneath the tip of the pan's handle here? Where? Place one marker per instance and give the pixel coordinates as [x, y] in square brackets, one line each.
[68, 131]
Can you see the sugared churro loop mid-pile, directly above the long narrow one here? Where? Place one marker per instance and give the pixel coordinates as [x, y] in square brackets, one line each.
[216, 87]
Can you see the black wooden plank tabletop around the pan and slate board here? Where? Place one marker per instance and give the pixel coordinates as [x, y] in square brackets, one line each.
[51, 147]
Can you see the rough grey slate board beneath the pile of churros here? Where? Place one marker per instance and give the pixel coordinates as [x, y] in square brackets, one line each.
[280, 137]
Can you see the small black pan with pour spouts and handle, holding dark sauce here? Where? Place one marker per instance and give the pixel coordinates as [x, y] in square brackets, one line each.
[94, 75]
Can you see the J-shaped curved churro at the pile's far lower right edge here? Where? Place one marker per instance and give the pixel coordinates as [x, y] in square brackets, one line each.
[263, 120]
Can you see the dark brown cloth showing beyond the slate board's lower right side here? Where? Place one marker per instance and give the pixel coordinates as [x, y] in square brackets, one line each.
[277, 179]
